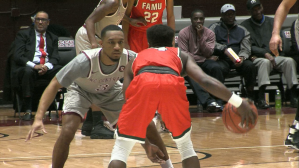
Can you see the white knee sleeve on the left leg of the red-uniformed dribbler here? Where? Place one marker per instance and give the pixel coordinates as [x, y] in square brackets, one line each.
[121, 151]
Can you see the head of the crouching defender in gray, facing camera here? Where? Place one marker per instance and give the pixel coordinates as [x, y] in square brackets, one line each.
[112, 42]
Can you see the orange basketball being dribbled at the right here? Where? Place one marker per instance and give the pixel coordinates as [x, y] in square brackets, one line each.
[232, 119]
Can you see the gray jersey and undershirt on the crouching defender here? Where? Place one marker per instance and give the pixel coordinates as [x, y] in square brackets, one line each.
[86, 71]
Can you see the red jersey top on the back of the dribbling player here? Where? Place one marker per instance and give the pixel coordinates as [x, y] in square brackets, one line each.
[161, 57]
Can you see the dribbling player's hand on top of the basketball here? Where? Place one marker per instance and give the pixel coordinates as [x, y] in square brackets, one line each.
[246, 112]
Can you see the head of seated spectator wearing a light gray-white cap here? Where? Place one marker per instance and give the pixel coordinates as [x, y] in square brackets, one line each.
[228, 14]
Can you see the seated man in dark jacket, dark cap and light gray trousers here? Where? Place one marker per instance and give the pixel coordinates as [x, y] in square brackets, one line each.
[260, 28]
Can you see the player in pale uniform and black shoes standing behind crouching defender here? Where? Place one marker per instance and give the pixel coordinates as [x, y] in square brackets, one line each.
[88, 36]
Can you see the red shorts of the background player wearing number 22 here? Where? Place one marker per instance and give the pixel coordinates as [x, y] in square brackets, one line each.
[137, 40]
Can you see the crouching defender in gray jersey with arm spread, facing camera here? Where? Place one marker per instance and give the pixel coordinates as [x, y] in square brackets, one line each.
[92, 78]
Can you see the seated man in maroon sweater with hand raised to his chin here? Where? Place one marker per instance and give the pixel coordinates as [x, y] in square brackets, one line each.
[199, 42]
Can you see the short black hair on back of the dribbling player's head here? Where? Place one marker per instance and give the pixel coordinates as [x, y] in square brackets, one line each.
[160, 36]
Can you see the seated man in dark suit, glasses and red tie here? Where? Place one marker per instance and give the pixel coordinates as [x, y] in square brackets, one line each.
[35, 57]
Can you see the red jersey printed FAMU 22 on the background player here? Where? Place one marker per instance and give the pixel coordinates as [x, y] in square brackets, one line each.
[151, 10]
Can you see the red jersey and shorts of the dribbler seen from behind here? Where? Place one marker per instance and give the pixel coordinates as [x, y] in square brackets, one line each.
[149, 92]
